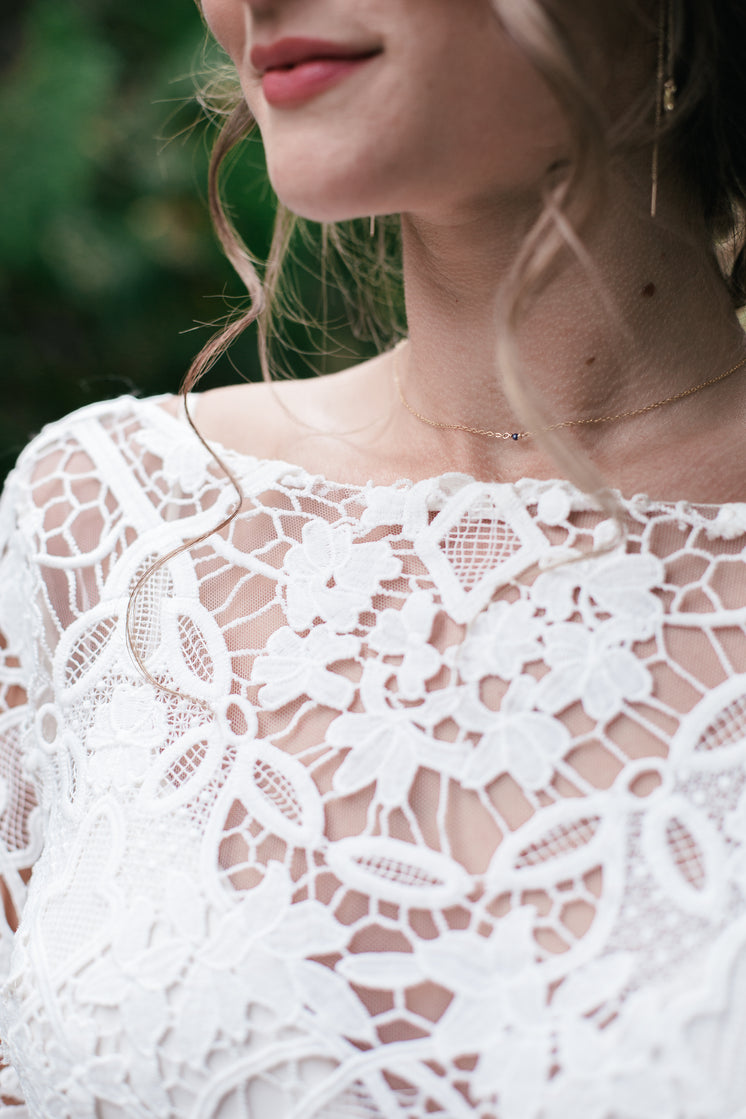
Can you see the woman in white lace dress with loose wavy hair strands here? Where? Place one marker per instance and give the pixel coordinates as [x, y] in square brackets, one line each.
[413, 797]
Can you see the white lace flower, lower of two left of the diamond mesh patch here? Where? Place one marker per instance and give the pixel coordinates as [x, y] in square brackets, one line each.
[295, 666]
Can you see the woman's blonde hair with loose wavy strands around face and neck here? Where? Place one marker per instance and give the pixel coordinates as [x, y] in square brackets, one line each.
[707, 144]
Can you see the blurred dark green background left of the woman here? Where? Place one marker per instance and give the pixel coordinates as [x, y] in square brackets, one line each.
[110, 276]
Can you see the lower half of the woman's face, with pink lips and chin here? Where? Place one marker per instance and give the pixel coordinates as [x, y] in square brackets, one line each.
[422, 107]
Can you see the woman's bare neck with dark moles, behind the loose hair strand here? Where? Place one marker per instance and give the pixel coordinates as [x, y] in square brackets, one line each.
[654, 321]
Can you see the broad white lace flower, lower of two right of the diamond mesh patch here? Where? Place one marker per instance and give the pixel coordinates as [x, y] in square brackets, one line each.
[592, 667]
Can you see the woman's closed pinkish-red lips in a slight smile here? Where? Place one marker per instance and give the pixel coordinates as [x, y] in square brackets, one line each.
[296, 70]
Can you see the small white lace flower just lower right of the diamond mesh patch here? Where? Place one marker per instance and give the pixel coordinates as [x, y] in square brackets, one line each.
[502, 643]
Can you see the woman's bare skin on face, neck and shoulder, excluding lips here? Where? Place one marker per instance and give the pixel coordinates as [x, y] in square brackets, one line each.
[452, 128]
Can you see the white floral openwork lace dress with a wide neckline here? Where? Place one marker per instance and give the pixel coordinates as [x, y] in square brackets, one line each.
[439, 825]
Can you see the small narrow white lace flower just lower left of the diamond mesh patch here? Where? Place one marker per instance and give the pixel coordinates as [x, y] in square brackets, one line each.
[405, 634]
